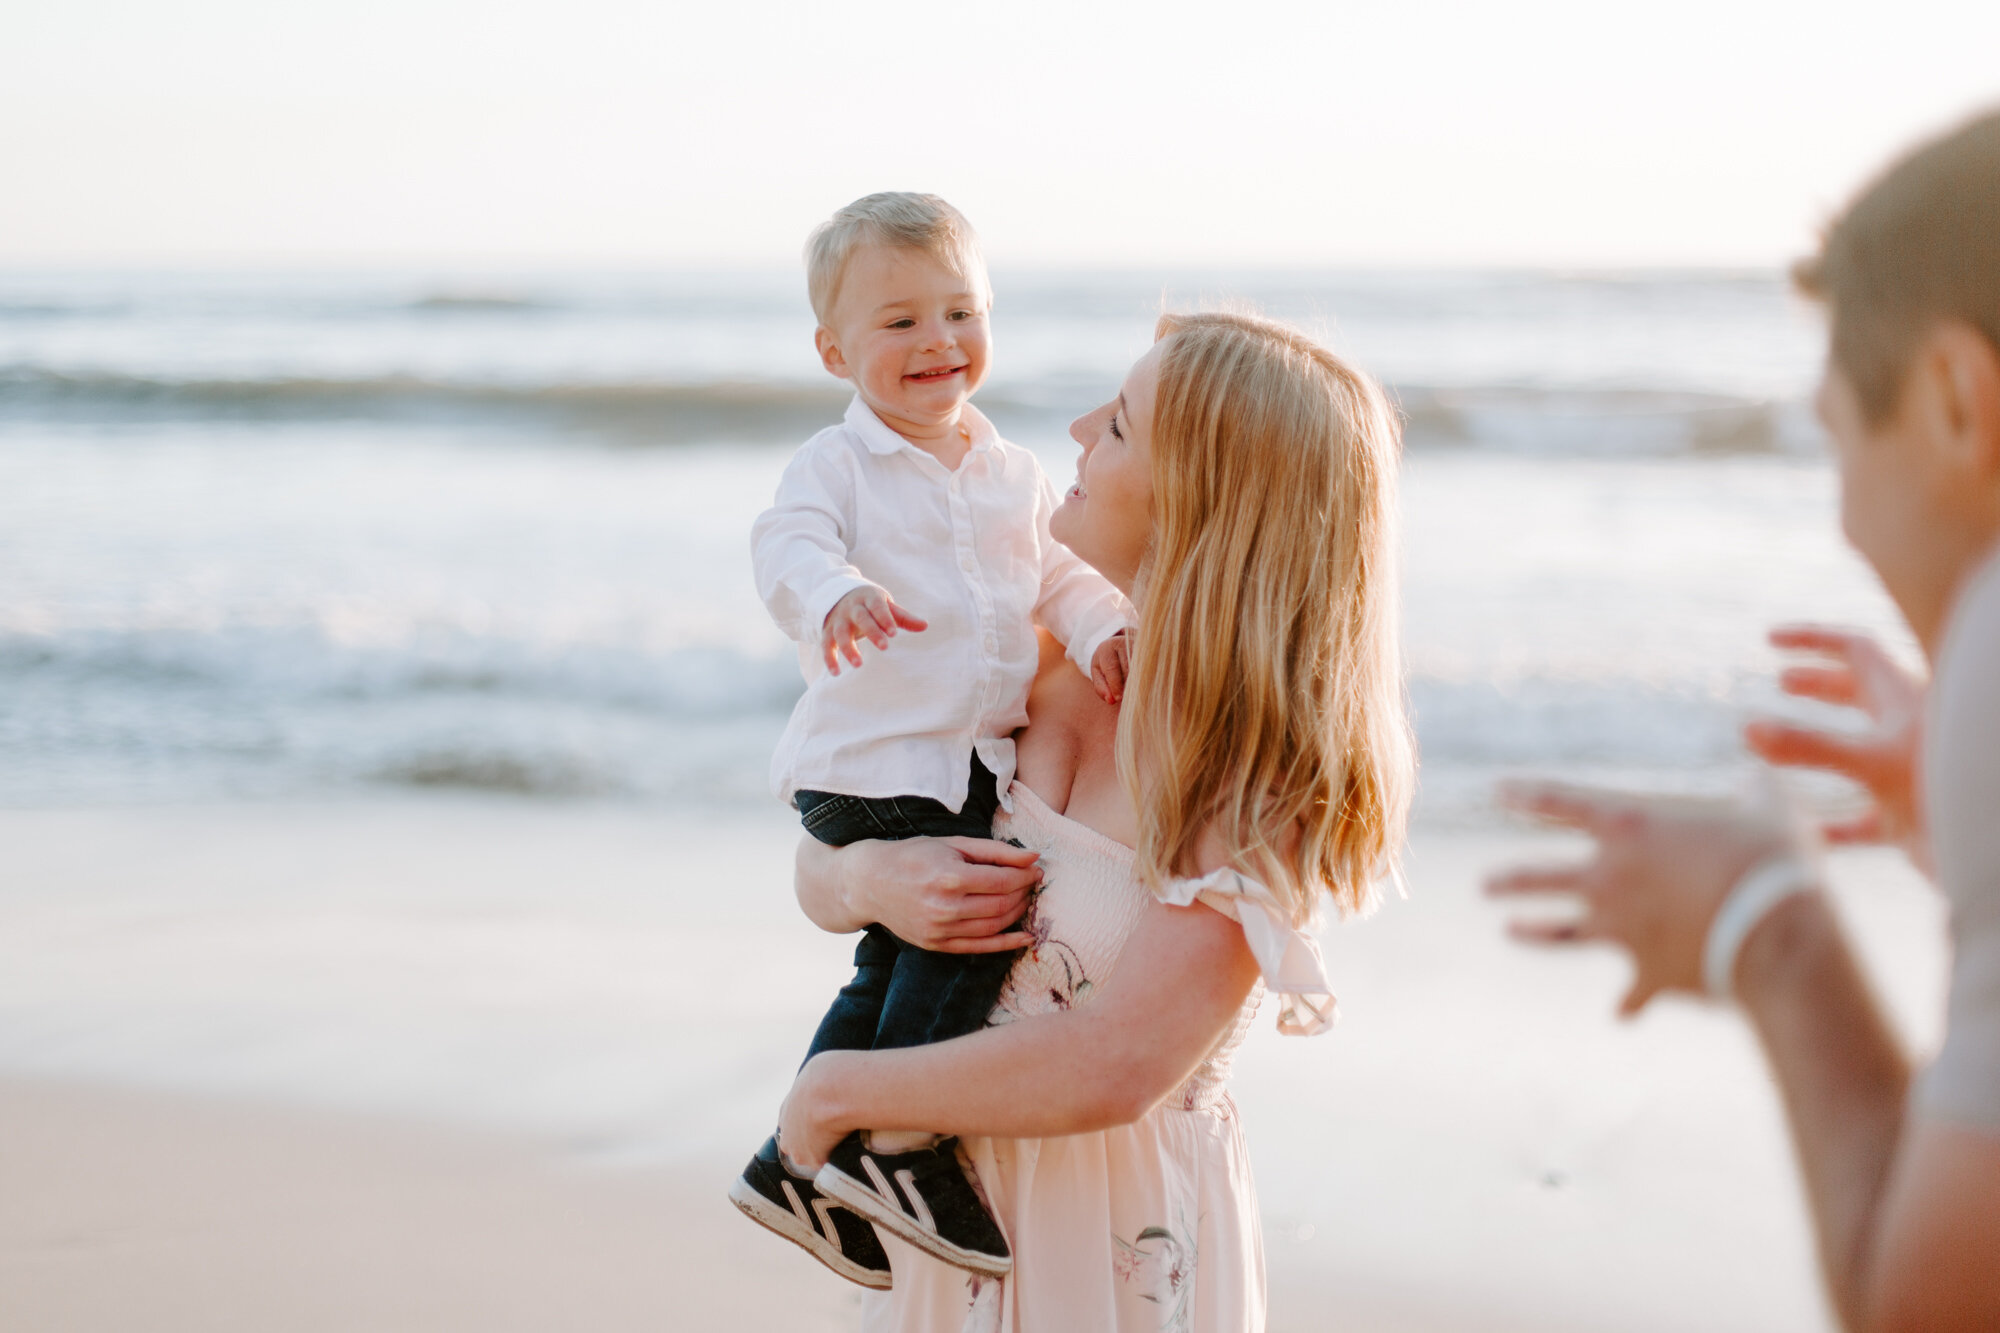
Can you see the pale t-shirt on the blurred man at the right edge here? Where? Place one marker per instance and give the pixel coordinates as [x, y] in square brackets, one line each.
[1963, 808]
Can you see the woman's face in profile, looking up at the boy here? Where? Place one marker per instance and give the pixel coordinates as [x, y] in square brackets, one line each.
[1107, 517]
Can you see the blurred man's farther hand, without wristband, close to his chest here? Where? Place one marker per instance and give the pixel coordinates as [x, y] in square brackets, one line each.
[1883, 760]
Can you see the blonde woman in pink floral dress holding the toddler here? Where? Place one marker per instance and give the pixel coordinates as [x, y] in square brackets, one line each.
[1241, 489]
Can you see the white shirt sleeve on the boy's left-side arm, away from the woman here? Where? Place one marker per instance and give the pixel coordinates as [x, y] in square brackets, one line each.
[799, 547]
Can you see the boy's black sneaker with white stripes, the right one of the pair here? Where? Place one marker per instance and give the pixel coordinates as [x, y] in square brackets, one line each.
[921, 1196]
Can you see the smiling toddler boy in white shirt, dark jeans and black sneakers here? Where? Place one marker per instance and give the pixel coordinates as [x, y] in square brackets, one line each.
[911, 517]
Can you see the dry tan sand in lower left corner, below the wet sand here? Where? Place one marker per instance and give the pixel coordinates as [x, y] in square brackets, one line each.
[153, 1212]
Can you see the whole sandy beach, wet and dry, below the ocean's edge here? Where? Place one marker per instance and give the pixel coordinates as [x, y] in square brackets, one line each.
[487, 1066]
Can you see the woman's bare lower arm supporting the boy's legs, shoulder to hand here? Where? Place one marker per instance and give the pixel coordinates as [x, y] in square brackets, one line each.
[1179, 986]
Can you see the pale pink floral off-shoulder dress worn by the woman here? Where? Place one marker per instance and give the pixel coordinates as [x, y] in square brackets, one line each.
[1149, 1228]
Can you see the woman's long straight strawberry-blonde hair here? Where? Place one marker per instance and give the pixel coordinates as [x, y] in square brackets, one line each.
[1267, 702]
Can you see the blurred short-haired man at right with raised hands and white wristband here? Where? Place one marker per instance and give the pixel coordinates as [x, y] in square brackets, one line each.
[1901, 1164]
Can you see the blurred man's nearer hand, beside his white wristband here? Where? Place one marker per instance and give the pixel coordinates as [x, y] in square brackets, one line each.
[1661, 870]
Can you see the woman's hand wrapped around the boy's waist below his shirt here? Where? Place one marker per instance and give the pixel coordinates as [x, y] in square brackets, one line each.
[949, 896]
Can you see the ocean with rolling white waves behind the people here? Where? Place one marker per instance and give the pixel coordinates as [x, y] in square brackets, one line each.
[305, 535]
